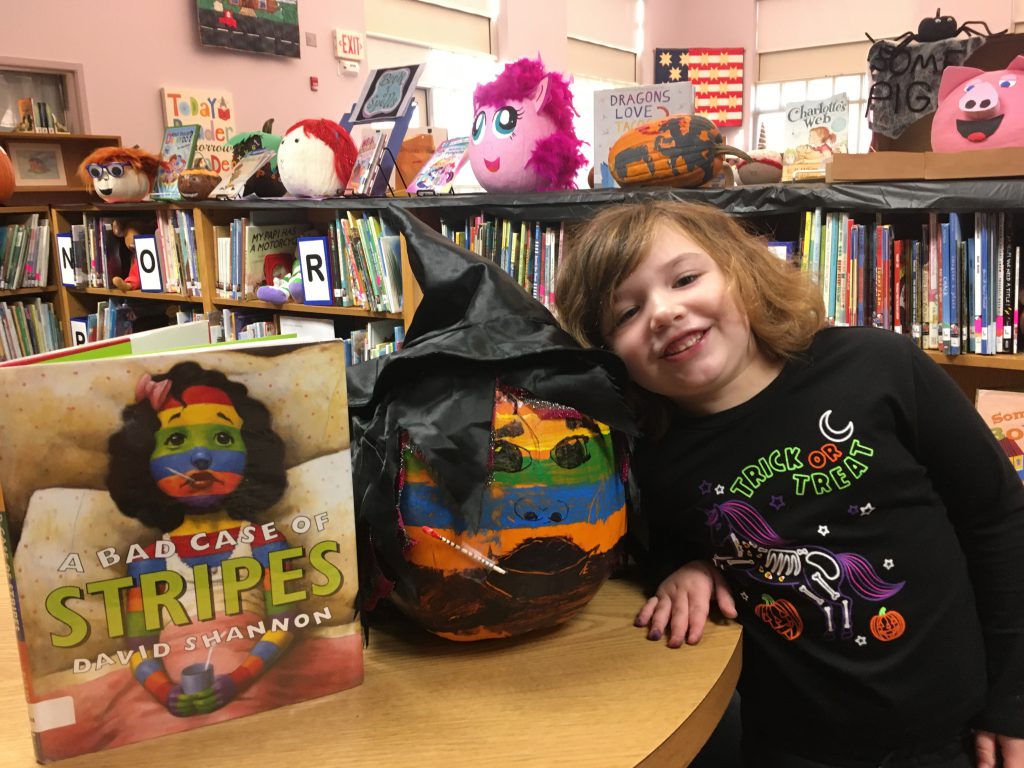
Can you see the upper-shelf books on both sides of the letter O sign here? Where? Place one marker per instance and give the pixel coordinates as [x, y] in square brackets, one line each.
[100, 253]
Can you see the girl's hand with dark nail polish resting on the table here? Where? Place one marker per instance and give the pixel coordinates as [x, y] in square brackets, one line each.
[682, 603]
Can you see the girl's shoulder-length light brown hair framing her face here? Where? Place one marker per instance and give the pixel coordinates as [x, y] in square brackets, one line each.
[784, 308]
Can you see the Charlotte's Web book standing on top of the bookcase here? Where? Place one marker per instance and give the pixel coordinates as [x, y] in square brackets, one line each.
[814, 132]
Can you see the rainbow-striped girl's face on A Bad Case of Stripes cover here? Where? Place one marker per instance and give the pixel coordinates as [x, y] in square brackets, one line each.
[200, 456]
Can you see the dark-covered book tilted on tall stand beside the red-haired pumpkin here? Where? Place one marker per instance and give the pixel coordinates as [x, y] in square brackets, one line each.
[388, 97]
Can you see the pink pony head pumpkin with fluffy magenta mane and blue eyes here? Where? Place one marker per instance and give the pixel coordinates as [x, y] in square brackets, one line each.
[524, 140]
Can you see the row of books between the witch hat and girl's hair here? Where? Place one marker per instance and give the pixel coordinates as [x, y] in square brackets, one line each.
[528, 251]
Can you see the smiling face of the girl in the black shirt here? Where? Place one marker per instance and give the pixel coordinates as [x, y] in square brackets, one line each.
[676, 325]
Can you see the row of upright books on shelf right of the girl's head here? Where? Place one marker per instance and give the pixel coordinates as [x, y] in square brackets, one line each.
[952, 283]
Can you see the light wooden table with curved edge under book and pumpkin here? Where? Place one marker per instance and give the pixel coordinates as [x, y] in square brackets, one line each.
[593, 693]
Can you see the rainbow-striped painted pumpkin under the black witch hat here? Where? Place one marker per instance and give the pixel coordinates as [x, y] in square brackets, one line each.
[552, 517]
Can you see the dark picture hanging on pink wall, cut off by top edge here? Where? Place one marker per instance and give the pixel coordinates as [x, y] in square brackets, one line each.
[254, 26]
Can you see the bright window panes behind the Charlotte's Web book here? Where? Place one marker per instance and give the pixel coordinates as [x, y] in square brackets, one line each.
[771, 100]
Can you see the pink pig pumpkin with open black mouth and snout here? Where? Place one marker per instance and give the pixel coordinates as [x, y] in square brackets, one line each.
[979, 110]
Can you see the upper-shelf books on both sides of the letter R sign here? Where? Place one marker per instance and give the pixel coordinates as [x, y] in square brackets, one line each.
[364, 254]
